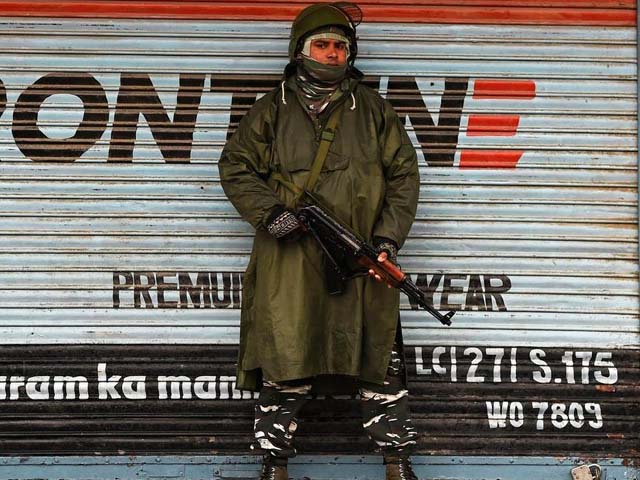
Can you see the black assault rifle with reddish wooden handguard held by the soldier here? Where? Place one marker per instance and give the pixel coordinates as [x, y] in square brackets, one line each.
[351, 256]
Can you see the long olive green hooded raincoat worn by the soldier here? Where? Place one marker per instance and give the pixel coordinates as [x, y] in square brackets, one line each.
[291, 328]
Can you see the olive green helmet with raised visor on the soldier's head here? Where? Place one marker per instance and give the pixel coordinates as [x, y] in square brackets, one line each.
[342, 14]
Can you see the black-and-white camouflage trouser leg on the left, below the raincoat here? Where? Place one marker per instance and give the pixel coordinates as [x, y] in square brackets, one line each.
[275, 417]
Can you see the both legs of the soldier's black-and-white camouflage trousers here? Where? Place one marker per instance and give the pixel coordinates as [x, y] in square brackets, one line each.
[385, 413]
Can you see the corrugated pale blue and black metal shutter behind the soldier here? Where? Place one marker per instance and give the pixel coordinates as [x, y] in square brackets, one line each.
[113, 227]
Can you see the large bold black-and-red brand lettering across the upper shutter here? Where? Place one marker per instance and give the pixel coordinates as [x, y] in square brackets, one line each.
[437, 132]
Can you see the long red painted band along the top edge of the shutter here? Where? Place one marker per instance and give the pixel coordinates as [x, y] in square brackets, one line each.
[497, 12]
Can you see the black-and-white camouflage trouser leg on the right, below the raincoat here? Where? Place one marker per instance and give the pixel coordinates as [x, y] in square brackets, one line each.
[385, 410]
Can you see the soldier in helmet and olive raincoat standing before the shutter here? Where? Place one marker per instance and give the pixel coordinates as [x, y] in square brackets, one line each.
[294, 334]
